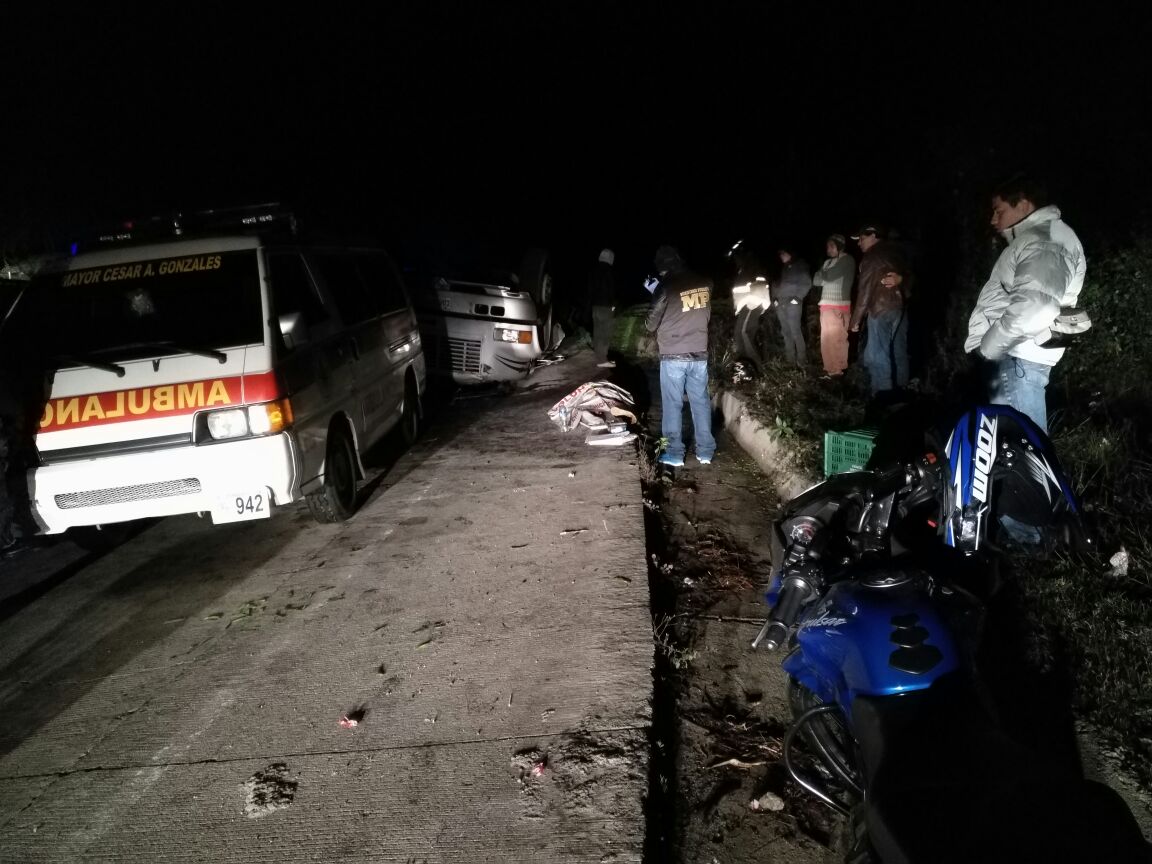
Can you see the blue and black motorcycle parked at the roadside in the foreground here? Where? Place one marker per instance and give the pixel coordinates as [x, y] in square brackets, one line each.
[881, 579]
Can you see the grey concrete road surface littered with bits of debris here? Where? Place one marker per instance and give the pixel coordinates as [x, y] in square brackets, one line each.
[484, 617]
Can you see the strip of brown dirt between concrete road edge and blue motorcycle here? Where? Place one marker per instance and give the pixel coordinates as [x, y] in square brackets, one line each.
[723, 751]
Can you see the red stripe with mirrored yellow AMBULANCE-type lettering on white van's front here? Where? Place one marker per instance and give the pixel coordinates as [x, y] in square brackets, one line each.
[166, 400]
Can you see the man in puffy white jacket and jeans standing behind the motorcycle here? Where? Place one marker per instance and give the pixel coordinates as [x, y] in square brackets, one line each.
[1041, 271]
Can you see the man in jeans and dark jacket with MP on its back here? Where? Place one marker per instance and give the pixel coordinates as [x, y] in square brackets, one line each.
[680, 314]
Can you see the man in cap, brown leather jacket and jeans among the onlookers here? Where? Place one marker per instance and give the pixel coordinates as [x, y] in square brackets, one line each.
[884, 278]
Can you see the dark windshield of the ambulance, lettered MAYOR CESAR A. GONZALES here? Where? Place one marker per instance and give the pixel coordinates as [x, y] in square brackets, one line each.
[169, 306]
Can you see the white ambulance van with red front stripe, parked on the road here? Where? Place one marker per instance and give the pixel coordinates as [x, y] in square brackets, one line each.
[226, 370]
